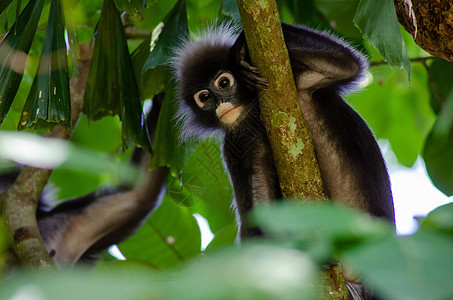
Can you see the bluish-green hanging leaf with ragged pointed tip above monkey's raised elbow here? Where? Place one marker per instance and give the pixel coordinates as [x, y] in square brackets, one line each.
[378, 23]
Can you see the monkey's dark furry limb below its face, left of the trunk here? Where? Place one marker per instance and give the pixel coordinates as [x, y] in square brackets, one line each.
[248, 157]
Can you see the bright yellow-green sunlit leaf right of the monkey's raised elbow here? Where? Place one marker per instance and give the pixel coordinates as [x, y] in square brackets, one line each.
[397, 111]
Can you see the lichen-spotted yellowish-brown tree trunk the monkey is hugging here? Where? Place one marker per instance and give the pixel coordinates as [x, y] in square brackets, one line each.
[293, 150]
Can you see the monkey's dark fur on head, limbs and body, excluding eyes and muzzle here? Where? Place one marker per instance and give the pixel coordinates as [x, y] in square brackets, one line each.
[351, 164]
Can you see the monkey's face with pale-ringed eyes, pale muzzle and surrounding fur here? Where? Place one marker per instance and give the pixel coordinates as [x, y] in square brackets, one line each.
[213, 95]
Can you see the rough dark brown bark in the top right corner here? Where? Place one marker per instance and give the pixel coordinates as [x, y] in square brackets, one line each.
[430, 23]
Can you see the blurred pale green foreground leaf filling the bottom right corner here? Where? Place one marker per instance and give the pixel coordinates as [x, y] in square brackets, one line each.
[416, 267]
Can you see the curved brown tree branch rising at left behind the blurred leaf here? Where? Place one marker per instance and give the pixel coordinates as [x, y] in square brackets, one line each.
[19, 202]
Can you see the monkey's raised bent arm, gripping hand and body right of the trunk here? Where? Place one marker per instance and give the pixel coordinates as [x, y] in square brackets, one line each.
[351, 165]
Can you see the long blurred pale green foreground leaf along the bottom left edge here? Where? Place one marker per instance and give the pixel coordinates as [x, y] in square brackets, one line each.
[252, 272]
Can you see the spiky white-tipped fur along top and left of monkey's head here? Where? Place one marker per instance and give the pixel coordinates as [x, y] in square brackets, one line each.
[195, 63]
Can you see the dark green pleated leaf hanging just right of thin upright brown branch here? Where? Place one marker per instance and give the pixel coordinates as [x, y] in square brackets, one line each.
[112, 88]
